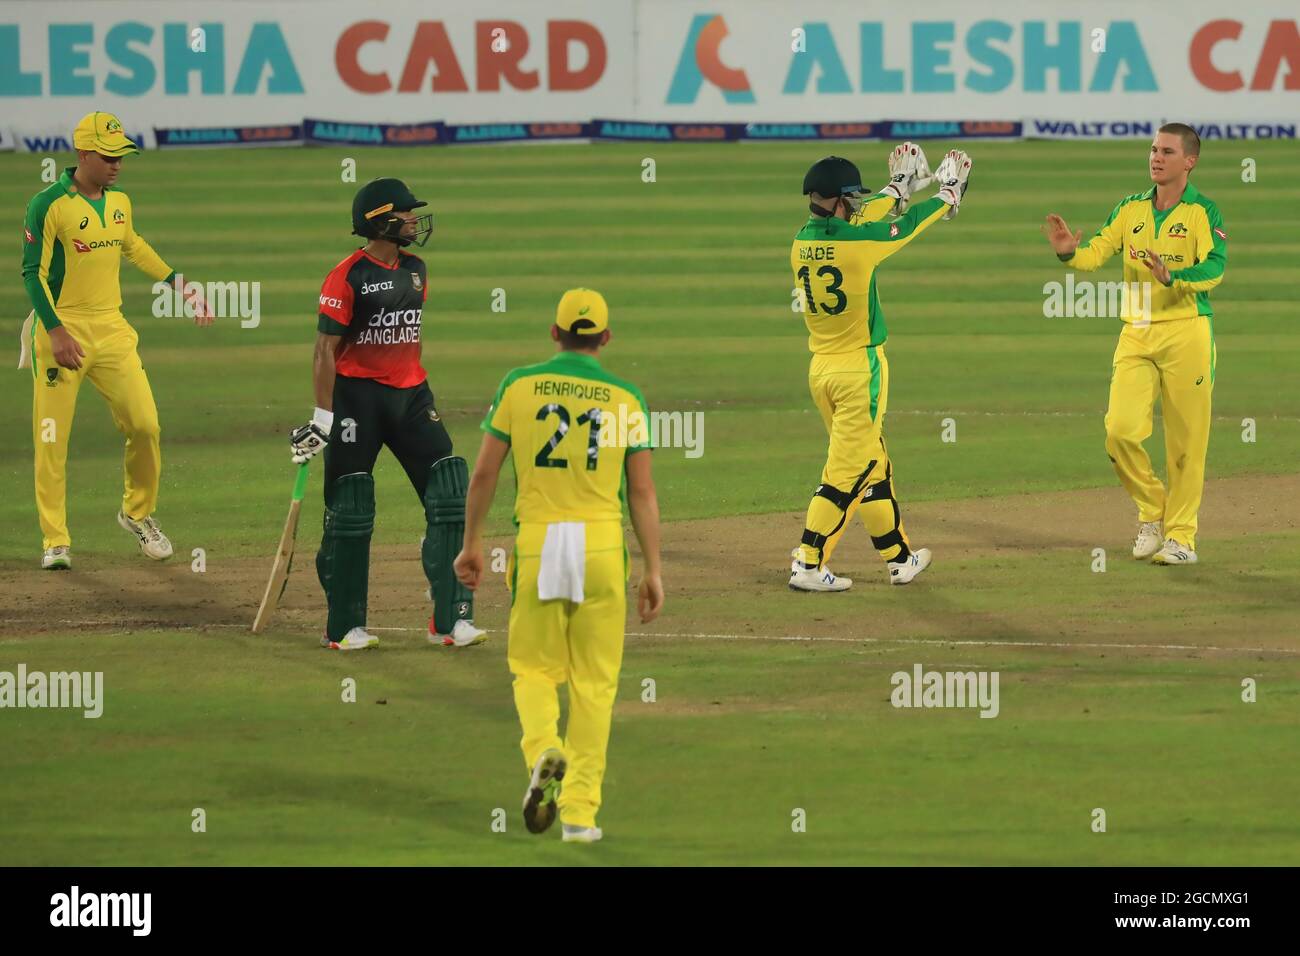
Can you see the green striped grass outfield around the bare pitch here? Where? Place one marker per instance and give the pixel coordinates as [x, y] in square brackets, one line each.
[696, 271]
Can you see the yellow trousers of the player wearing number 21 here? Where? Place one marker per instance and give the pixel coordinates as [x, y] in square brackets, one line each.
[558, 642]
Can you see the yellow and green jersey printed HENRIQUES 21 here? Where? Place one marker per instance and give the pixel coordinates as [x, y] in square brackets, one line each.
[570, 426]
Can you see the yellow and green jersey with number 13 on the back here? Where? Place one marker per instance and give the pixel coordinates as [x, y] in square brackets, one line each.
[835, 271]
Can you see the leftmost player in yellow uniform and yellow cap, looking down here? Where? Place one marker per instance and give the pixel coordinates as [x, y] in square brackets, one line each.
[75, 236]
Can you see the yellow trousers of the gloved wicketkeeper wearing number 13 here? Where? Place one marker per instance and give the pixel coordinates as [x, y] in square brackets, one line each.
[851, 392]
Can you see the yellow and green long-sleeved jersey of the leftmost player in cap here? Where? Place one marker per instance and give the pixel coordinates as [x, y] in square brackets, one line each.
[73, 248]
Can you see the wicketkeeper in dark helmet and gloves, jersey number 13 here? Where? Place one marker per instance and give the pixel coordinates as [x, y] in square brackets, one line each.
[835, 258]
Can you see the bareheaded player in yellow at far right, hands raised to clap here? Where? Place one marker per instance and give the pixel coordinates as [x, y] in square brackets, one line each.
[1171, 233]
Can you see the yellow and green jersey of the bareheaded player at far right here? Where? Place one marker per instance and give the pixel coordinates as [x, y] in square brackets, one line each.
[1190, 239]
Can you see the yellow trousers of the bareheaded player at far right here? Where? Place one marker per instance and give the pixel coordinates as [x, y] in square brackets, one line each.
[1175, 360]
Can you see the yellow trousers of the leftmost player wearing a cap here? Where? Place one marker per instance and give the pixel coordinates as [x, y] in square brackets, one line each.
[114, 367]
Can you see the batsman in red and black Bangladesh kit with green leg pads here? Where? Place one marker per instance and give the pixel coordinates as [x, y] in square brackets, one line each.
[372, 392]
